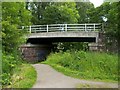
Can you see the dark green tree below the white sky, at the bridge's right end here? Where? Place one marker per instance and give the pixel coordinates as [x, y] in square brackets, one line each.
[109, 11]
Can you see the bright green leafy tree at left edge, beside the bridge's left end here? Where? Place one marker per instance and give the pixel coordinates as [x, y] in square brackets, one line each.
[14, 16]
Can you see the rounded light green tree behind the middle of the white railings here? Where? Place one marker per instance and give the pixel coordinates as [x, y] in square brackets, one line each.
[61, 13]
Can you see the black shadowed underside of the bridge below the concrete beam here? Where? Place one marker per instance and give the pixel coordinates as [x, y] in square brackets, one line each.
[60, 39]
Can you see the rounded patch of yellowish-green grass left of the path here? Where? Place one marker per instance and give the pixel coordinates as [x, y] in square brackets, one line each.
[23, 77]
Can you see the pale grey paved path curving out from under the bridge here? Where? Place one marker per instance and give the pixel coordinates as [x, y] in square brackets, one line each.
[47, 77]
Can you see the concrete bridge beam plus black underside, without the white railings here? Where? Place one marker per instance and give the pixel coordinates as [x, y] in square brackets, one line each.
[41, 38]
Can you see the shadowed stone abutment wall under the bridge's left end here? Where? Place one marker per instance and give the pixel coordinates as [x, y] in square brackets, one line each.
[34, 53]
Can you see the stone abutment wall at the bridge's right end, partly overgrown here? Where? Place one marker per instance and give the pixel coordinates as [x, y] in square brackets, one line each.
[105, 44]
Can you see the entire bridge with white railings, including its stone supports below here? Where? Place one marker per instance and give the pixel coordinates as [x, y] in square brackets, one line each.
[41, 38]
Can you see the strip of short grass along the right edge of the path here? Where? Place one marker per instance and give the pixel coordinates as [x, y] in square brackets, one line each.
[76, 74]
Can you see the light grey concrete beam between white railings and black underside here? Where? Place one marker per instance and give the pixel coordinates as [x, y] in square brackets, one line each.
[63, 34]
